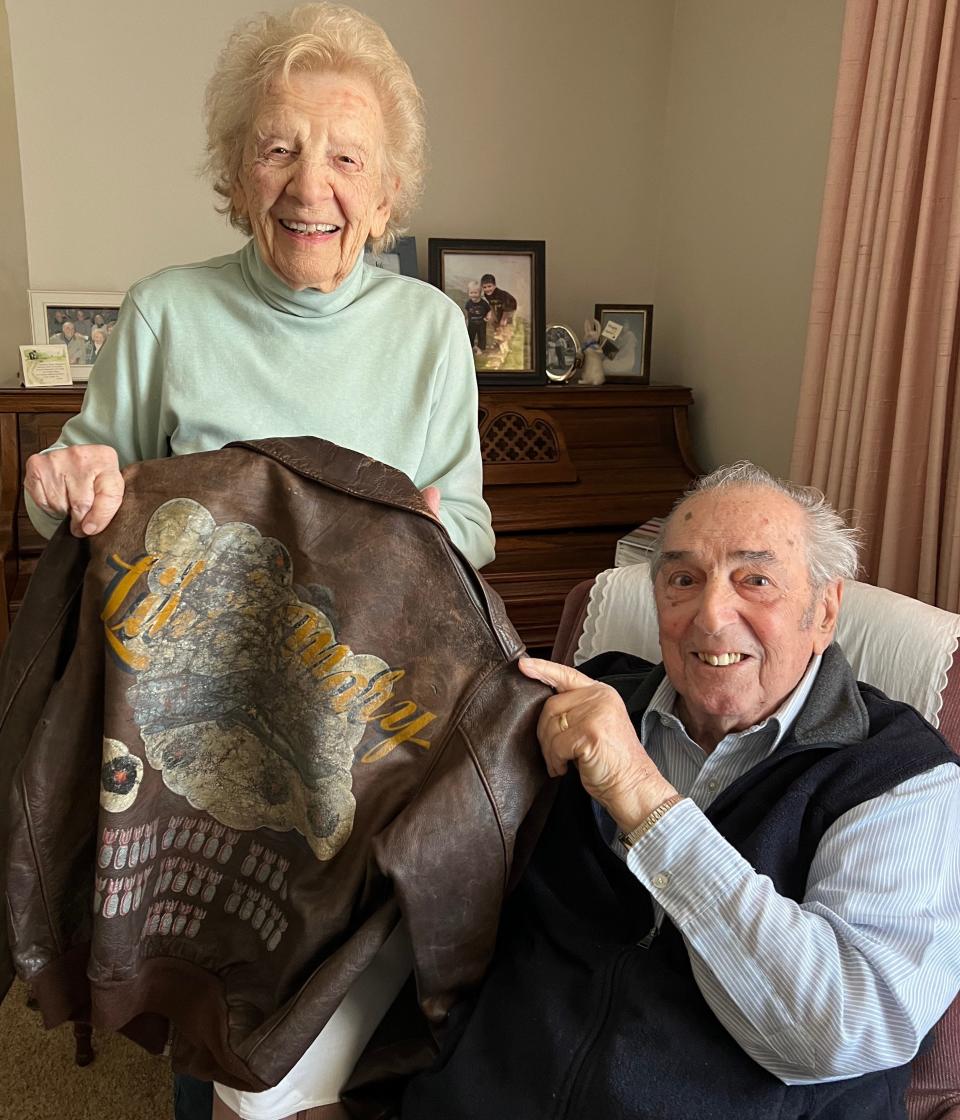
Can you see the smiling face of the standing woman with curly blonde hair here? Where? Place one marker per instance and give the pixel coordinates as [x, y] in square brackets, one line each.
[312, 180]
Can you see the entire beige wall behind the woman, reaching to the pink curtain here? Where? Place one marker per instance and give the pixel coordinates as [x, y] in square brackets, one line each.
[668, 152]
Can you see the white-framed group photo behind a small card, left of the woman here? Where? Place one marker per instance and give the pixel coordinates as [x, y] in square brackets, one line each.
[81, 321]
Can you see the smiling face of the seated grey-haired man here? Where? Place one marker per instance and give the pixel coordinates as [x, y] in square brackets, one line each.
[739, 620]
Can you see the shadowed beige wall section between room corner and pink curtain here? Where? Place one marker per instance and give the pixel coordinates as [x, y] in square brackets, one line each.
[748, 130]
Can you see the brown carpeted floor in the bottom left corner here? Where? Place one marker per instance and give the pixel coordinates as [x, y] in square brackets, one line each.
[40, 1081]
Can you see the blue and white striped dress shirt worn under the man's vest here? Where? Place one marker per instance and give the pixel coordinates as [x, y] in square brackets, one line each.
[853, 978]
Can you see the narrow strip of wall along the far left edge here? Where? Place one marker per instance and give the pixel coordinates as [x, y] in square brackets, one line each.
[15, 323]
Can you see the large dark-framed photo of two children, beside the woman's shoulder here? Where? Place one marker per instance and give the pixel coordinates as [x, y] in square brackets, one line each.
[499, 285]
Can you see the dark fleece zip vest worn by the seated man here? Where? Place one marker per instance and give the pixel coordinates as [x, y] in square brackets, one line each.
[576, 1021]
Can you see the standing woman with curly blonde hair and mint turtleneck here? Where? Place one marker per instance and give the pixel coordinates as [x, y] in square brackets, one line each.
[316, 147]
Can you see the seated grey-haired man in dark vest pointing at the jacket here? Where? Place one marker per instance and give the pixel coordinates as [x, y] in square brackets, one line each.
[742, 906]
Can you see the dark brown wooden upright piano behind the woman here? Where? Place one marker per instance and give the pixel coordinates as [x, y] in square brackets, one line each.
[568, 470]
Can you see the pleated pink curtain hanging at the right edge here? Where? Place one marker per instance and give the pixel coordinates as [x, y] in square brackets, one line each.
[880, 406]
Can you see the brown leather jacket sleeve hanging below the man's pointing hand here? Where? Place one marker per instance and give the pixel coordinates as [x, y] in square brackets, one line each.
[452, 853]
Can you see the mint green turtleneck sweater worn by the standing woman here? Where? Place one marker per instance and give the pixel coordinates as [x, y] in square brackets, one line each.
[223, 350]
